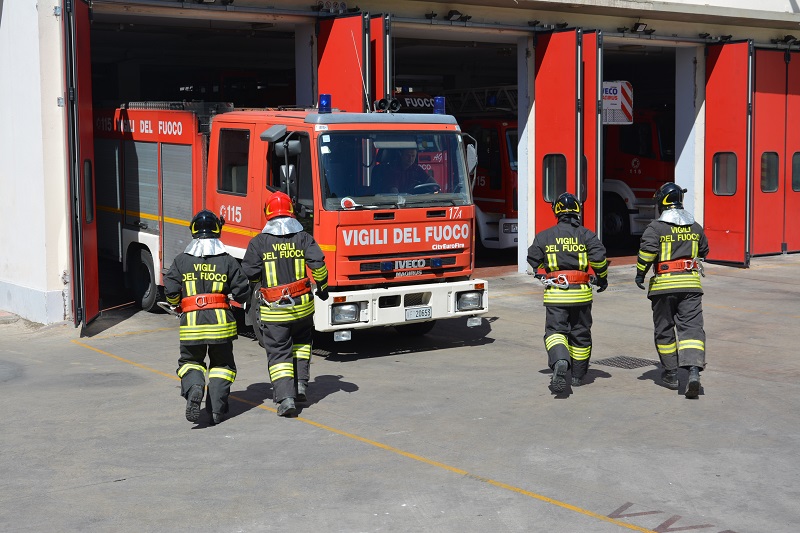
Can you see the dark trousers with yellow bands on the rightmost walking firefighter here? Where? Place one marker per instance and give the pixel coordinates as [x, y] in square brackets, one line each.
[681, 314]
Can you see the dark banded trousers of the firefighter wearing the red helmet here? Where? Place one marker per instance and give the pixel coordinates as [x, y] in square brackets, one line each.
[288, 346]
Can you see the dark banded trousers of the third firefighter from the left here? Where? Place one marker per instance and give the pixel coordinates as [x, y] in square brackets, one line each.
[568, 336]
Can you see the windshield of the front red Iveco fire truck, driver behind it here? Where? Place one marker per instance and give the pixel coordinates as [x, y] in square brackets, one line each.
[392, 170]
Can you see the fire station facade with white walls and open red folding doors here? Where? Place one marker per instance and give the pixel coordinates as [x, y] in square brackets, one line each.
[733, 82]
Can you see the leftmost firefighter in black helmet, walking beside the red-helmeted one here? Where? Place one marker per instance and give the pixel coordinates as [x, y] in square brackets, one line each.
[198, 286]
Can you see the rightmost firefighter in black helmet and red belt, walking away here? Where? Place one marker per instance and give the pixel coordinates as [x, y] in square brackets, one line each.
[674, 244]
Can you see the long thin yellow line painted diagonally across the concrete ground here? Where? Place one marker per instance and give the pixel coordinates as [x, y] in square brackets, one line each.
[398, 451]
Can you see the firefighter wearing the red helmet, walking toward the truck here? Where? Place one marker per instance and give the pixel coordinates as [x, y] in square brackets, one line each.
[276, 259]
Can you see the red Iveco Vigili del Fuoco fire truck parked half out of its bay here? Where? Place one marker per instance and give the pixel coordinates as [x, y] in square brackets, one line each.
[402, 259]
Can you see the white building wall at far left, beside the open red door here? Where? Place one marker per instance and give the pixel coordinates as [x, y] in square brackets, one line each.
[34, 240]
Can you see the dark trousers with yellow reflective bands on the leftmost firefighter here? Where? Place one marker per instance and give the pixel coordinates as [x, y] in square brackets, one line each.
[221, 372]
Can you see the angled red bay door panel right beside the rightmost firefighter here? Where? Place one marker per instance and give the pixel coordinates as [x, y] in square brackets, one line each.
[727, 184]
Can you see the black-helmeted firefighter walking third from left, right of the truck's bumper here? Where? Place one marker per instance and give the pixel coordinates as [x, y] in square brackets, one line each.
[565, 252]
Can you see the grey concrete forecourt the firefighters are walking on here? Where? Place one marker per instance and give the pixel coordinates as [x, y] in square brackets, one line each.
[456, 431]
